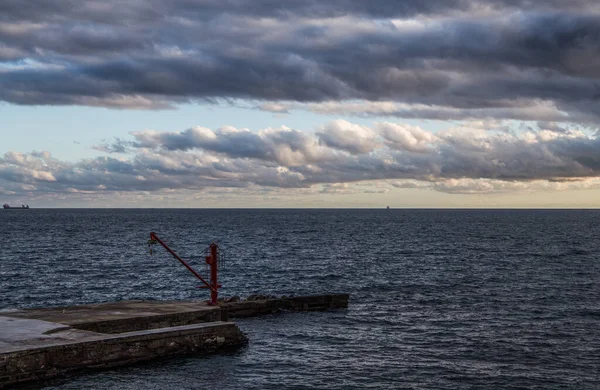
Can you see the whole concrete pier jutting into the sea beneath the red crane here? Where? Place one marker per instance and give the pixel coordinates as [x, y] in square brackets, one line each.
[39, 344]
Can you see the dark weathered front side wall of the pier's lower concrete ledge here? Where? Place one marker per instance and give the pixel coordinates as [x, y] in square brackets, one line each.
[59, 358]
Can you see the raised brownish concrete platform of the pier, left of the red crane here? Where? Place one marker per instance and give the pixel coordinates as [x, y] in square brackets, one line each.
[125, 316]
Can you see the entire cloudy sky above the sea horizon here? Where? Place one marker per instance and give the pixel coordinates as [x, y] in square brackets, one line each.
[300, 103]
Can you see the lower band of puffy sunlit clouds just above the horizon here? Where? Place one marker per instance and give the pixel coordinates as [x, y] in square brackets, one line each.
[462, 159]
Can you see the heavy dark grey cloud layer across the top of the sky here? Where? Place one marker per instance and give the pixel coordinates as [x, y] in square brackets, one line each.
[457, 59]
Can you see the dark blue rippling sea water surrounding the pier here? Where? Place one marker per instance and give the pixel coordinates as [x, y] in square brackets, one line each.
[439, 298]
